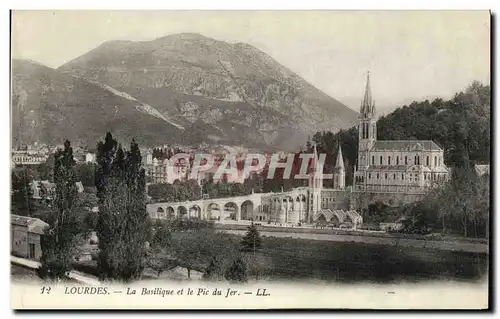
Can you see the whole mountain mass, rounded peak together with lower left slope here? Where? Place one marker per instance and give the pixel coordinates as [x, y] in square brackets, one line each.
[183, 88]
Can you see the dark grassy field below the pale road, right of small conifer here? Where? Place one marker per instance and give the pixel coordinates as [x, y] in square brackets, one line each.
[289, 258]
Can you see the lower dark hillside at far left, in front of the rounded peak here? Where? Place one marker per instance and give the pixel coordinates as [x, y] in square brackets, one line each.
[48, 106]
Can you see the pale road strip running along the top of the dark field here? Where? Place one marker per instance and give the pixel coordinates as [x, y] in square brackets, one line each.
[432, 244]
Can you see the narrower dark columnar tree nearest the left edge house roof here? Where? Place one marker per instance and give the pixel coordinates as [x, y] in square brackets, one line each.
[59, 241]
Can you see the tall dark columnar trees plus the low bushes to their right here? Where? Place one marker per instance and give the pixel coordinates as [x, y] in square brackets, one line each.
[126, 244]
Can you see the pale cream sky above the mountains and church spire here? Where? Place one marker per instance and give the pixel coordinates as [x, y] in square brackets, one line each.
[411, 55]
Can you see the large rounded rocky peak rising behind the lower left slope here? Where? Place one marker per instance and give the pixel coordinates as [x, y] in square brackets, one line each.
[220, 92]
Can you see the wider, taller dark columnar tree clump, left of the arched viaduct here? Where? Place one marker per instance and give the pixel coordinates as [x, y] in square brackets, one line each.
[123, 227]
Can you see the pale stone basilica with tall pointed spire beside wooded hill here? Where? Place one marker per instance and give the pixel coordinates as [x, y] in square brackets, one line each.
[393, 172]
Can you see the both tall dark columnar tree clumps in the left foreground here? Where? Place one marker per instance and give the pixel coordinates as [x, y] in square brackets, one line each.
[122, 225]
